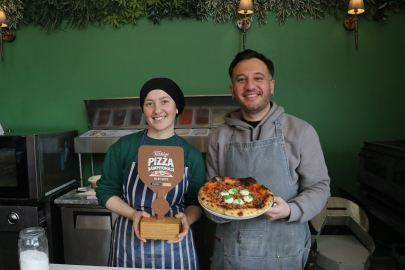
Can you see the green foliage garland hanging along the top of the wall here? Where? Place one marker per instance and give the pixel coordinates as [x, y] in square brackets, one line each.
[49, 14]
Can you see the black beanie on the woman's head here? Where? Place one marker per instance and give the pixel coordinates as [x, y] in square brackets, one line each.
[166, 85]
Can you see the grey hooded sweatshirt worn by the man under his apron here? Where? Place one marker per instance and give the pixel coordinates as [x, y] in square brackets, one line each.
[306, 162]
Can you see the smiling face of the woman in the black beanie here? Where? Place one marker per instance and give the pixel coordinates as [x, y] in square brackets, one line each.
[160, 112]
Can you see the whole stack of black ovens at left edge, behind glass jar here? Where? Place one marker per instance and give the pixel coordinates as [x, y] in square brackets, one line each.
[35, 168]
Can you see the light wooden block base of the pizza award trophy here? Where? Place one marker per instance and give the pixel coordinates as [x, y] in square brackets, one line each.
[167, 229]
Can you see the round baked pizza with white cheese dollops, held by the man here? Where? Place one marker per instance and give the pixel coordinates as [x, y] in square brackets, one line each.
[235, 197]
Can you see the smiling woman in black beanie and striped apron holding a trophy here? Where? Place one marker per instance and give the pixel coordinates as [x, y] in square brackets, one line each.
[121, 191]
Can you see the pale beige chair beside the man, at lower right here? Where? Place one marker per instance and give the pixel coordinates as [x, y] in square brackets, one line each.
[341, 251]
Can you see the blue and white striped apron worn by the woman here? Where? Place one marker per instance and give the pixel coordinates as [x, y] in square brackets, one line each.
[126, 250]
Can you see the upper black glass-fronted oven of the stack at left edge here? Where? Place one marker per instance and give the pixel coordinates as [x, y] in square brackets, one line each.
[36, 164]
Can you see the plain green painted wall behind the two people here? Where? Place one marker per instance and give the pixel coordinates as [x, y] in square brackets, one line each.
[348, 96]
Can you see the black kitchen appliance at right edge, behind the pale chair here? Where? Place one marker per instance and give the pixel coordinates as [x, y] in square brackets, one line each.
[379, 191]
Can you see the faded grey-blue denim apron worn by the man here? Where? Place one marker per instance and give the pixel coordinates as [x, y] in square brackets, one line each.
[258, 243]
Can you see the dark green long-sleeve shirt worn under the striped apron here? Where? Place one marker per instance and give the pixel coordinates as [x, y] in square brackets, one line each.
[122, 154]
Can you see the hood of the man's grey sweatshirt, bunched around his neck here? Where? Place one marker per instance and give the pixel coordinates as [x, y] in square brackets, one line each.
[234, 118]
